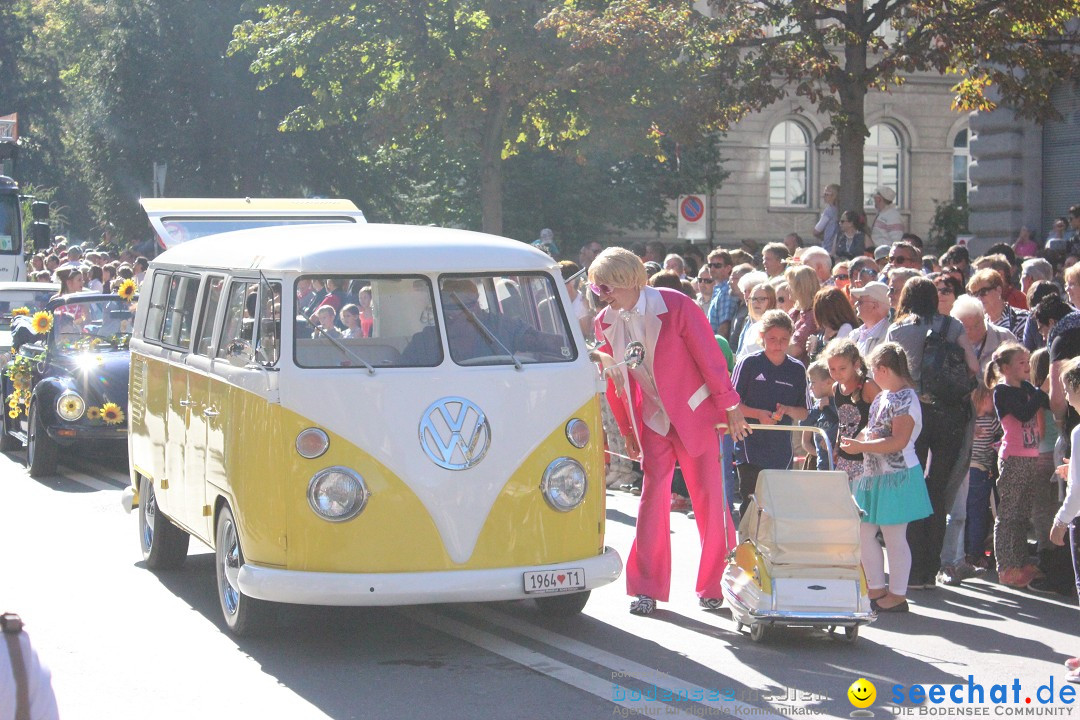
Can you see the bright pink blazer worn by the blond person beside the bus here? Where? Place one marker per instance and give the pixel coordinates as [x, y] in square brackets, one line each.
[691, 372]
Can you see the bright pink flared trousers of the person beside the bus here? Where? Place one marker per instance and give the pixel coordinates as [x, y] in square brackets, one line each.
[650, 566]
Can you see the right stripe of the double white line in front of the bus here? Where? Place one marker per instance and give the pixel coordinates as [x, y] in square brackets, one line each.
[620, 667]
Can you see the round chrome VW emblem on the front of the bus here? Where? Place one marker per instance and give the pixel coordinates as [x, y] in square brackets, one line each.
[455, 433]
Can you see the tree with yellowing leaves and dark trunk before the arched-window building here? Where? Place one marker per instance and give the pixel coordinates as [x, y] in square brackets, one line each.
[834, 53]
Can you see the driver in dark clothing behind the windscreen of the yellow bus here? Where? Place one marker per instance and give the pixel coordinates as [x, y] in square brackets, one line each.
[474, 333]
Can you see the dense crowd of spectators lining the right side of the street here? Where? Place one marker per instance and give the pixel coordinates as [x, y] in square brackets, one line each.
[813, 330]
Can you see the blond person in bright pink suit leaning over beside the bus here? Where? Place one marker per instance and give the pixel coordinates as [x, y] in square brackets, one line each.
[667, 409]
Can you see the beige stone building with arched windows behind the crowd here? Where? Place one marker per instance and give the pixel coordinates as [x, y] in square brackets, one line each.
[778, 173]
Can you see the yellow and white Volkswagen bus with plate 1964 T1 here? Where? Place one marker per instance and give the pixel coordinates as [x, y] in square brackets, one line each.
[368, 415]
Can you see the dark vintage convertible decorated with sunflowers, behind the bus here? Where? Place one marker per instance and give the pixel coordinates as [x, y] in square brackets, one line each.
[66, 384]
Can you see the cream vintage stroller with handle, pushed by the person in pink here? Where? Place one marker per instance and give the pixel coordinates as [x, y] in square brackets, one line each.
[798, 562]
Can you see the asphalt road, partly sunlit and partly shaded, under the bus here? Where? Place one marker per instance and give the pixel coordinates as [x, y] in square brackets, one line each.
[125, 643]
